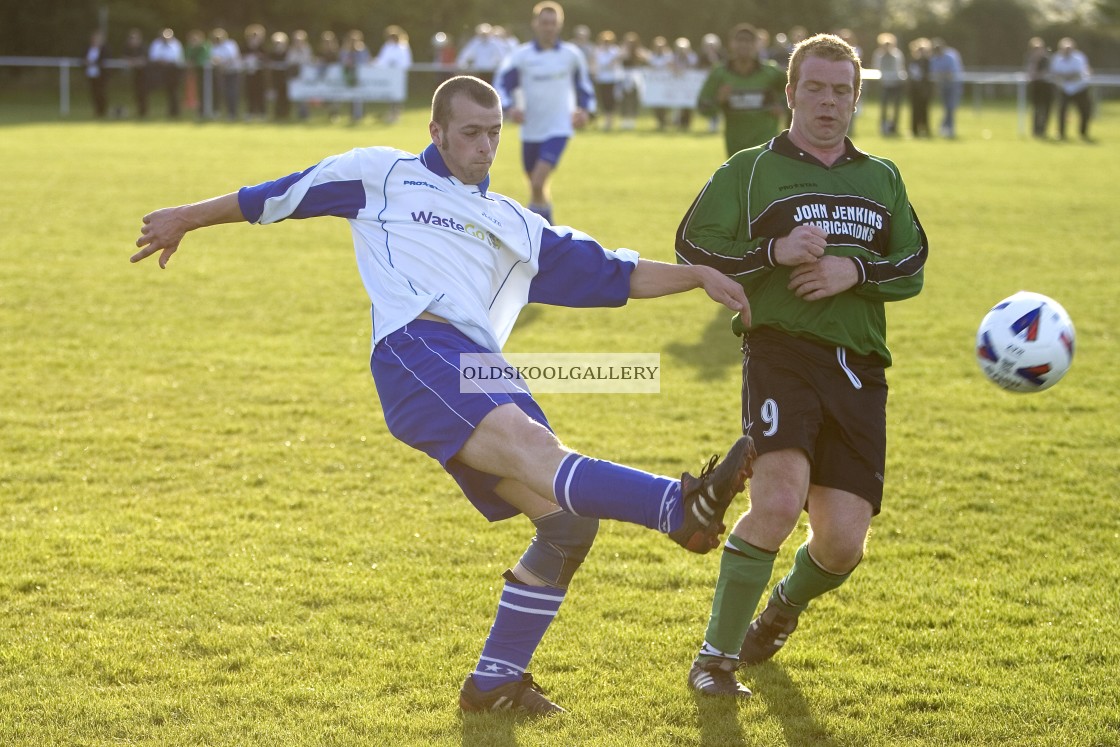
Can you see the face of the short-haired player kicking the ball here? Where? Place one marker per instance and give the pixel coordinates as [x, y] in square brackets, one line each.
[469, 144]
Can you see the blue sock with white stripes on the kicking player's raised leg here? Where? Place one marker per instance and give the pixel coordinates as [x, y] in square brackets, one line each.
[603, 490]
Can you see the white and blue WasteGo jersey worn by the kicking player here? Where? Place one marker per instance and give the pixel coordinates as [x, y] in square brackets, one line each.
[427, 242]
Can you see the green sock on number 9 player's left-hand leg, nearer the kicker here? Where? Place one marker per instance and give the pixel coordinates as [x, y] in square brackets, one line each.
[744, 573]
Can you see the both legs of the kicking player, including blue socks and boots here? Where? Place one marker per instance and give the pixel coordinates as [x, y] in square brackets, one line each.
[564, 493]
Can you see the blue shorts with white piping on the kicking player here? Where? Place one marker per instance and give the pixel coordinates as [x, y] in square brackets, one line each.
[417, 372]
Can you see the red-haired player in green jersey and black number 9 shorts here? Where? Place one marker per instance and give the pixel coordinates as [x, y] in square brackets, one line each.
[822, 236]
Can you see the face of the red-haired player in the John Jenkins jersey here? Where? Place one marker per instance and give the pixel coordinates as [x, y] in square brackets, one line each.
[824, 101]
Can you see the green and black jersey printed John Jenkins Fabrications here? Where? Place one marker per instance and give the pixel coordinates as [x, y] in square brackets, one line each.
[763, 193]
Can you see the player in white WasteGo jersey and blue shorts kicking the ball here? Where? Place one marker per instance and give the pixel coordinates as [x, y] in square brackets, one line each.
[449, 265]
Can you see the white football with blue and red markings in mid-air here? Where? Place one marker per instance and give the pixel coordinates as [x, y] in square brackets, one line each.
[1025, 344]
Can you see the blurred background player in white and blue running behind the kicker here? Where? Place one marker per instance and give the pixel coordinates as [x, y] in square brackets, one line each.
[556, 98]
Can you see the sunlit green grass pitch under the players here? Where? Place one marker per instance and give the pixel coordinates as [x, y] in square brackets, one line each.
[209, 538]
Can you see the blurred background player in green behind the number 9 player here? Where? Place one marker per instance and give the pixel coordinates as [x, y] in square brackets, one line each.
[748, 91]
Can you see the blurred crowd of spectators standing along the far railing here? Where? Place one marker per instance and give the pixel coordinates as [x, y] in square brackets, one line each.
[247, 74]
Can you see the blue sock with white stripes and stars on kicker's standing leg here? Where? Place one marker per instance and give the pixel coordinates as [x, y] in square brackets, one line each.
[524, 615]
